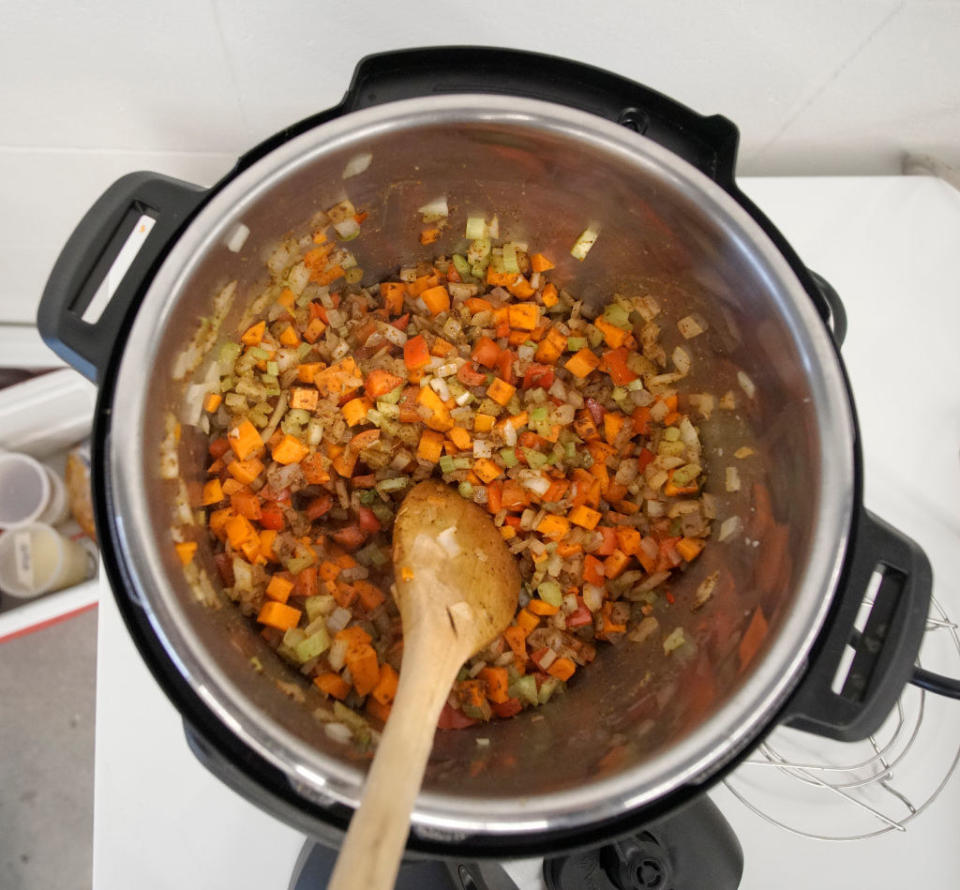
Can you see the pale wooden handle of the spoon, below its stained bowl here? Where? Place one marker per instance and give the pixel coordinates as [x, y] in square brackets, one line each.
[373, 847]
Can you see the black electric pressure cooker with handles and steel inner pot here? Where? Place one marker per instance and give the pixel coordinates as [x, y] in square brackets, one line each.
[550, 146]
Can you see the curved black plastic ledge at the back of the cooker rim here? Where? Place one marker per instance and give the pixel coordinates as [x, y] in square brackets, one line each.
[709, 143]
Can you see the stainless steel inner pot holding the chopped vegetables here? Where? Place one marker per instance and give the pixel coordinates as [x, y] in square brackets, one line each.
[629, 730]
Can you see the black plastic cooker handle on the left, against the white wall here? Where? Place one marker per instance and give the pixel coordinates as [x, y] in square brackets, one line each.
[100, 273]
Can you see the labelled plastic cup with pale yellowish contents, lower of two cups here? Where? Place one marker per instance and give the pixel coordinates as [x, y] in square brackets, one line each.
[37, 559]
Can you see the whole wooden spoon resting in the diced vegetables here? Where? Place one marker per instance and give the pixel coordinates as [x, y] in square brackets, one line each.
[457, 586]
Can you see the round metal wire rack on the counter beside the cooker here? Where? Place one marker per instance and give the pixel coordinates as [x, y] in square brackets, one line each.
[875, 786]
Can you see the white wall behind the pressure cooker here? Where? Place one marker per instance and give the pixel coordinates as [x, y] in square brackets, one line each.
[89, 91]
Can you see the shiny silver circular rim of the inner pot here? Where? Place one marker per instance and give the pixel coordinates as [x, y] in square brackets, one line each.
[695, 757]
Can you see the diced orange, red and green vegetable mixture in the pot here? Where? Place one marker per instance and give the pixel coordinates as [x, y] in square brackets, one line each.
[478, 369]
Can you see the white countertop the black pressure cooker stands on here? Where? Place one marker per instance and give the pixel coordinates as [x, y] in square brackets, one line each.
[889, 246]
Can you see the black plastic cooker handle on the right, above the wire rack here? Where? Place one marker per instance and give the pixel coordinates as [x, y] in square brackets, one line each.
[867, 652]
